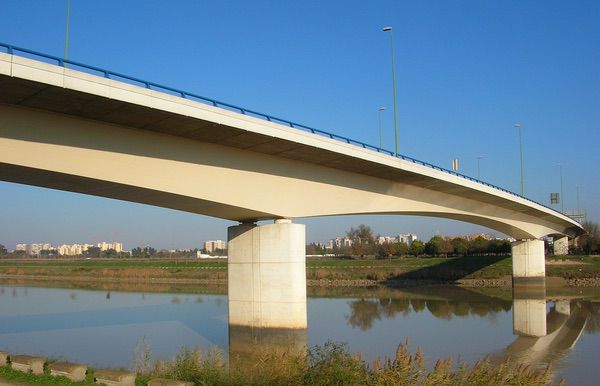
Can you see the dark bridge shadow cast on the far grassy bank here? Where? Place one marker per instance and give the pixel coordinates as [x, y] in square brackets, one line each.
[453, 269]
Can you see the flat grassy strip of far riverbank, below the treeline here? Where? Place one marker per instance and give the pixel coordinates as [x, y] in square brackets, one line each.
[470, 271]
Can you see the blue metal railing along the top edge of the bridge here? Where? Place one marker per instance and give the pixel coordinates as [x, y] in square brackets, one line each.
[13, 50]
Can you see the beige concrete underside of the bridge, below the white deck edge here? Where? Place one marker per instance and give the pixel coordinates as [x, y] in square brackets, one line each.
[73, 154]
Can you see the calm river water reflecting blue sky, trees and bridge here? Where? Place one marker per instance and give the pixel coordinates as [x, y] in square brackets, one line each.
[102, 328]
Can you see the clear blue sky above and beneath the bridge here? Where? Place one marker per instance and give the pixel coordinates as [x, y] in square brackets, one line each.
[466, 71]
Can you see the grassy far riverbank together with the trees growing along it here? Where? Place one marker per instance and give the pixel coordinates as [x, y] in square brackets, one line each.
[364, 263]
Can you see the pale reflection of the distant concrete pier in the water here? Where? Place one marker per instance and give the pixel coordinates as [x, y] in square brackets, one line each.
[529, 310]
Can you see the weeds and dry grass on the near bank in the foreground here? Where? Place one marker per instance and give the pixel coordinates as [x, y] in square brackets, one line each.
[330, 364]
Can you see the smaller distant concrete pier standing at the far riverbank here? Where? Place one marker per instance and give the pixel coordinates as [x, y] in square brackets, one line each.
[528, 260]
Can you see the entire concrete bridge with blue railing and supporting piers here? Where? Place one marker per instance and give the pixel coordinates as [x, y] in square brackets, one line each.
[74, 127]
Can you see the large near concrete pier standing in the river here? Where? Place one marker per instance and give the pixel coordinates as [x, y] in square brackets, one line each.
[267, 275]
